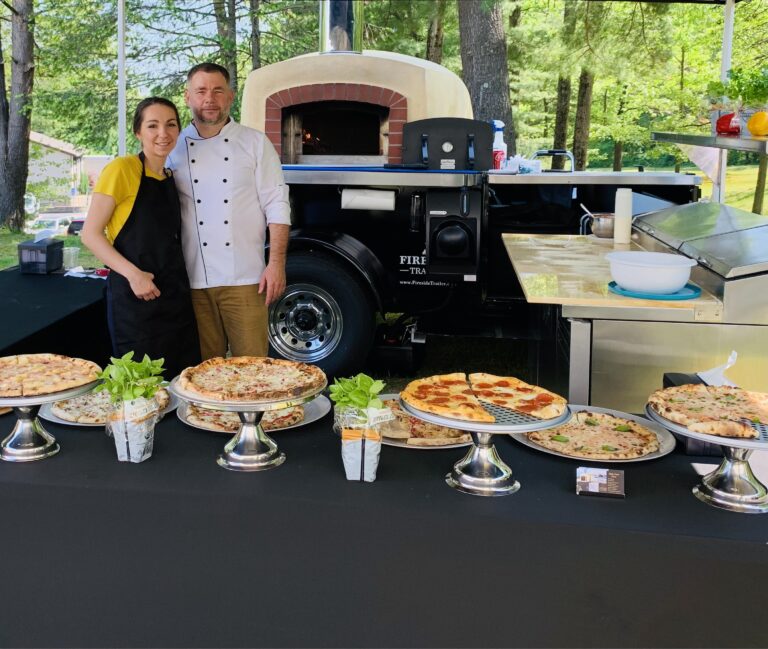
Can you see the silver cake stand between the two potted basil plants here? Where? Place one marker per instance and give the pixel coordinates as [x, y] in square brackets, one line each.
[251, 449]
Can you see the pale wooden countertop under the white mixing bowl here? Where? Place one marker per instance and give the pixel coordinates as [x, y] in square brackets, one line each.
[571, 270]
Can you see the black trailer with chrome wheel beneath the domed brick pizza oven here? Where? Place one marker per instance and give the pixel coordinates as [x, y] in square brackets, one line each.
[426, 244]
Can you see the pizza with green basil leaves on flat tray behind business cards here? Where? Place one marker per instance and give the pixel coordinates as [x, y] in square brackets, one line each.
[598, 436]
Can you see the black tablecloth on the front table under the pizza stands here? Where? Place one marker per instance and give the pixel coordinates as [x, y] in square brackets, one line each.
[180, 552]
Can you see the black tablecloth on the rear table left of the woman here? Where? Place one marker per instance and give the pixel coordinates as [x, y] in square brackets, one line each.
[53, 313]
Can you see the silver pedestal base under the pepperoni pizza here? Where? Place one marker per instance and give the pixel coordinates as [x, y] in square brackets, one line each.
[482, 472]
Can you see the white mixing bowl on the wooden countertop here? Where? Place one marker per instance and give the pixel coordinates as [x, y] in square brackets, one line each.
[650, 272]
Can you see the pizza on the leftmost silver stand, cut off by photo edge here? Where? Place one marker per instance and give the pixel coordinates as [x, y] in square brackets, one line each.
[28, 375]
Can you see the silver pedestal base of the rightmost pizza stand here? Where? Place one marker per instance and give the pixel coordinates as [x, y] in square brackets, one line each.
[733, 486]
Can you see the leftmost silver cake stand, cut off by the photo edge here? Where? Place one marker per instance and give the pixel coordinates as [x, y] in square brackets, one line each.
[28, 440]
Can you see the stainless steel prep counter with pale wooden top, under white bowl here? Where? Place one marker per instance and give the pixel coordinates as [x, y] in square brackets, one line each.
[619, 348]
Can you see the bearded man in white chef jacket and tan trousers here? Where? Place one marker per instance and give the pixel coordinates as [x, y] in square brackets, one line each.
[232, 189]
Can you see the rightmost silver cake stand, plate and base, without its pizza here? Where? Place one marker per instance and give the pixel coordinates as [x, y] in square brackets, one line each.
[733, 485]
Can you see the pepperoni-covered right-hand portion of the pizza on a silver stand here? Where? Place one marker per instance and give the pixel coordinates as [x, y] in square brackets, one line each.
[509, 392]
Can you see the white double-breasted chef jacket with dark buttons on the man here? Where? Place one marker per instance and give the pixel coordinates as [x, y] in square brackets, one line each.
[231, 187]
